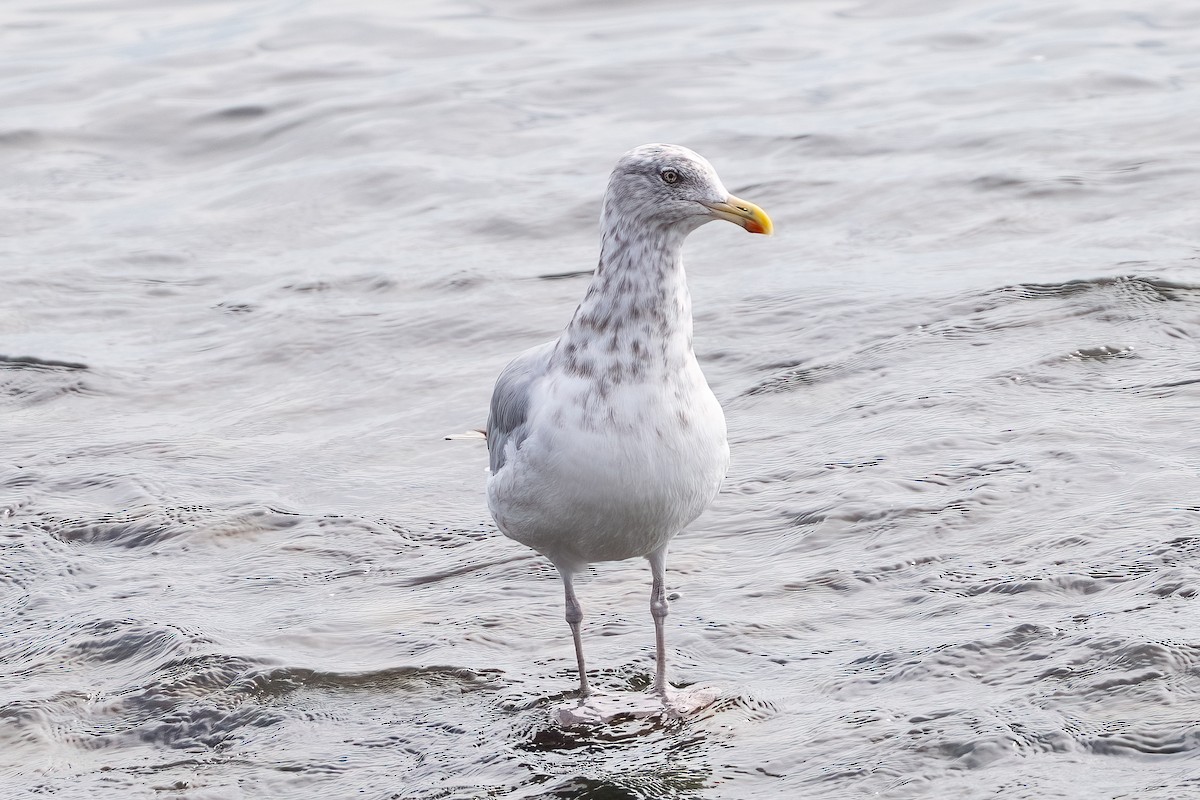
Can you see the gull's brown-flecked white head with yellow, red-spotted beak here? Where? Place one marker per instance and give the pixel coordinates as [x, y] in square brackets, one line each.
[671, 188]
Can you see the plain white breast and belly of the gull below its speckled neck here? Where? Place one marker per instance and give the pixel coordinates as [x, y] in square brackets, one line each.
[610, 473]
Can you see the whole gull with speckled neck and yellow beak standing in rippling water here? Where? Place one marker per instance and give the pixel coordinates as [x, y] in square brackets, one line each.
[608, 442]
